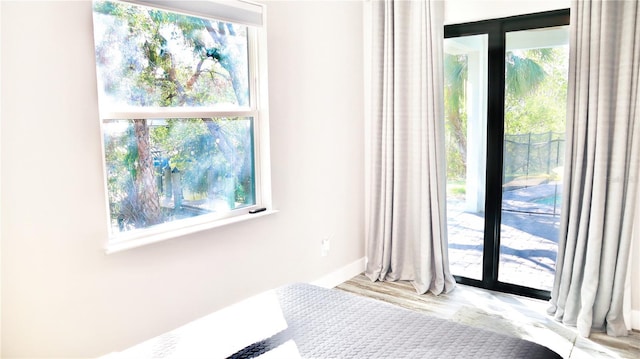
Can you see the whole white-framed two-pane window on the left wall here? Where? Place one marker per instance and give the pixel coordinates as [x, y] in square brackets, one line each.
[183, 125]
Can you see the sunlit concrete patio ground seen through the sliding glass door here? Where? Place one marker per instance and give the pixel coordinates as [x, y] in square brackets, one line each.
[528, 241]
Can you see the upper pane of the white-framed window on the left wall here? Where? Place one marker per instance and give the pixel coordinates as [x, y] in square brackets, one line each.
[150, 57]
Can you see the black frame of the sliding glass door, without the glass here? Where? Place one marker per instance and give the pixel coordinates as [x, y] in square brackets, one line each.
[496, 30]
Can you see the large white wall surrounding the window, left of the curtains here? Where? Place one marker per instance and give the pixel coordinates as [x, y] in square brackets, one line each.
[61, 295]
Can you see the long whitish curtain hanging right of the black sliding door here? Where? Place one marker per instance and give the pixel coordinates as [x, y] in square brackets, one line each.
[602, 166]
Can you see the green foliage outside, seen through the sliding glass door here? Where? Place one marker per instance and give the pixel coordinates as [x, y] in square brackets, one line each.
[536, 83]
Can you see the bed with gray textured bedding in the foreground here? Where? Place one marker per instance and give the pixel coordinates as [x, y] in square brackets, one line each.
[305, 321]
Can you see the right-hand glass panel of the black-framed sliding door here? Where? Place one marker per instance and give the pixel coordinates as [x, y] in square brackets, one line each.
[536, 65]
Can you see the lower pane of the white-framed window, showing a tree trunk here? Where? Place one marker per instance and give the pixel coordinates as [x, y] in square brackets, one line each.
[164, 170]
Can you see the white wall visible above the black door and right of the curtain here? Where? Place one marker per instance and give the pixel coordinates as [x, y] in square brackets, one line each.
[461, 11]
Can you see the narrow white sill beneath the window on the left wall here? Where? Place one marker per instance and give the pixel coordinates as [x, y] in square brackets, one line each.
[146, 239]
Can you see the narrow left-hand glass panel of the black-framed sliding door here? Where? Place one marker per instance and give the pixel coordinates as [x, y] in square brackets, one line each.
[465, 65]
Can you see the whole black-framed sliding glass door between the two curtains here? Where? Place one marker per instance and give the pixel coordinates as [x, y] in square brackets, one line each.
[505, 98]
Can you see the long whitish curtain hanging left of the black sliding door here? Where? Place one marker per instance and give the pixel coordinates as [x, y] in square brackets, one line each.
[405, 211]
